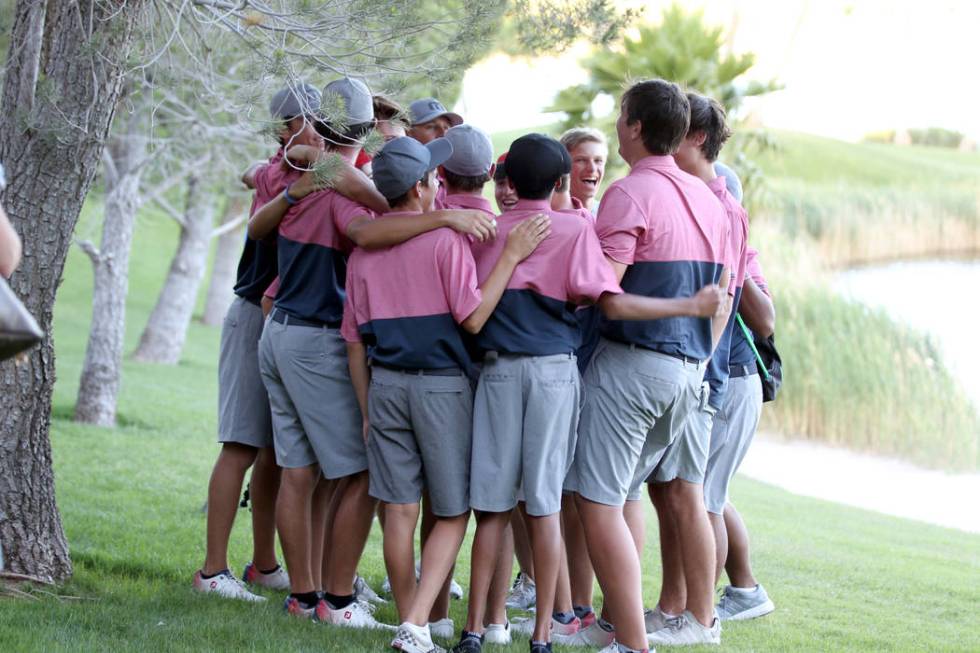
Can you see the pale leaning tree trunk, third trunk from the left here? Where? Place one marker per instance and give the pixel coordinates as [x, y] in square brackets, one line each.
[164, 335]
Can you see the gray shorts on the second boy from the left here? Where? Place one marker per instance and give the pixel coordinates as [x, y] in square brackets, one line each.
[315, 416]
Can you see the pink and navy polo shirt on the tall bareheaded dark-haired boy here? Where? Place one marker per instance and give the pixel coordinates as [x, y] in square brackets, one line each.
[672, 232]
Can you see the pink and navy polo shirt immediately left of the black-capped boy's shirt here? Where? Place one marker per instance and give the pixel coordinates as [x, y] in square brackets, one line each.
[406, 302]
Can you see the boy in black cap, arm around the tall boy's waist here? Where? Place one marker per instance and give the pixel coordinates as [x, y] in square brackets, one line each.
[527, 401]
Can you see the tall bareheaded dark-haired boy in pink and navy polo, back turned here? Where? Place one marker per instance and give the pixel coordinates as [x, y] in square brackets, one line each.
[666, 234]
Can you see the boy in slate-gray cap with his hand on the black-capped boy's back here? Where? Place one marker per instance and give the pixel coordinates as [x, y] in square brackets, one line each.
[404, 307]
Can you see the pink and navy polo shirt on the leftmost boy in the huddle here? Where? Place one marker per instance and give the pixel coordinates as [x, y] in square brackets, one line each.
[257, 266]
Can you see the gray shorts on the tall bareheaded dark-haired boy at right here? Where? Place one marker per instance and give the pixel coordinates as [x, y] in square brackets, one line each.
[636, 402]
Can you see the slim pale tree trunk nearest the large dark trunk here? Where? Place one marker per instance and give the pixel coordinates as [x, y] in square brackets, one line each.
[98, 389]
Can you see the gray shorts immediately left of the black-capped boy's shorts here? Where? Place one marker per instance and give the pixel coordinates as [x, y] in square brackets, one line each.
[421, 434]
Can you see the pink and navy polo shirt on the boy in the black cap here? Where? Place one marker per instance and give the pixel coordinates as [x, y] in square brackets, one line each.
[536, 315]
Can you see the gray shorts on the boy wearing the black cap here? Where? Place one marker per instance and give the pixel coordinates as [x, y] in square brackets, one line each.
[524, 422]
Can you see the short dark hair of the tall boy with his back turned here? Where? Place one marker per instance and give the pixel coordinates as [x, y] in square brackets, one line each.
[663, 111]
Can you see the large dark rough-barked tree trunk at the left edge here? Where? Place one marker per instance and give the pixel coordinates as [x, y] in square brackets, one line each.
[51, 138]
